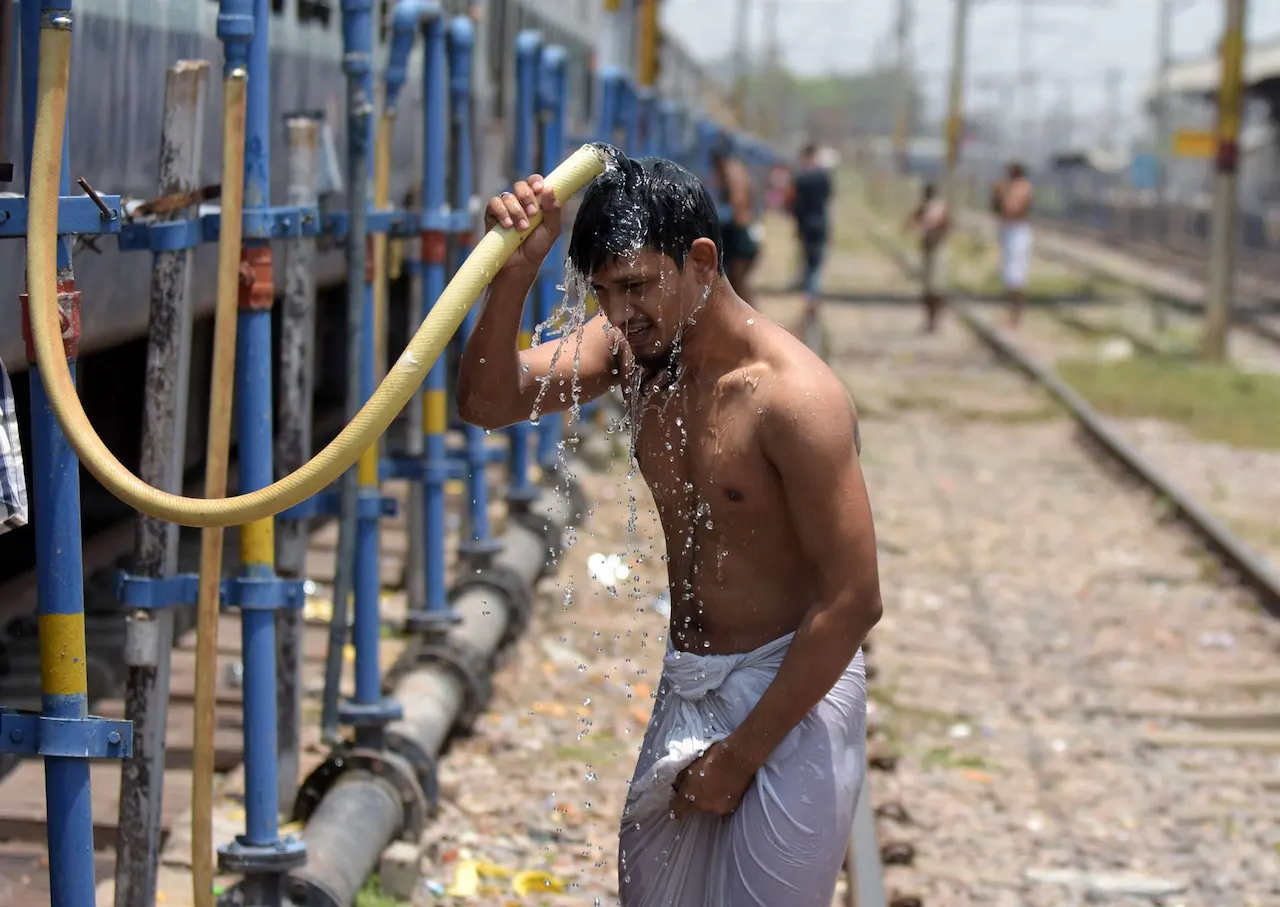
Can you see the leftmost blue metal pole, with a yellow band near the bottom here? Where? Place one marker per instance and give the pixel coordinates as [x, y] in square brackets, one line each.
[57, 524]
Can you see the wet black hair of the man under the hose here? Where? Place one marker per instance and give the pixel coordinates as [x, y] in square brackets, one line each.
[644, 204]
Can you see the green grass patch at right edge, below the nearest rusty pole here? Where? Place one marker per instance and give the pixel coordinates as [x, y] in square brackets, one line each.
[1215, 404]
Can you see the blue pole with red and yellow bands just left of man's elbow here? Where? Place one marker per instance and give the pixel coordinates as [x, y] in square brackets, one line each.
[436, 411]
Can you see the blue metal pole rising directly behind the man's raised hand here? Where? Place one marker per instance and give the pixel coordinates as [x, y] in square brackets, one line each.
[552, 89]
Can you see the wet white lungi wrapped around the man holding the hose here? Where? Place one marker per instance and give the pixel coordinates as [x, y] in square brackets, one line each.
[785, 844]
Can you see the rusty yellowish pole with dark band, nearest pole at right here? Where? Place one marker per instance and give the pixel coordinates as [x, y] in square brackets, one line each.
[1222, 262]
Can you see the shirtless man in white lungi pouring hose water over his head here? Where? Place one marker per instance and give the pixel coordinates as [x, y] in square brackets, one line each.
[751, 768]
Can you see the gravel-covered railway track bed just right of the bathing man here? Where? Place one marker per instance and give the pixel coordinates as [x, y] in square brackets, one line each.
[1063, 717]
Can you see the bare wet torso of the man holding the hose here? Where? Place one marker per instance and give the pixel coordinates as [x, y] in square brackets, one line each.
[739, 576]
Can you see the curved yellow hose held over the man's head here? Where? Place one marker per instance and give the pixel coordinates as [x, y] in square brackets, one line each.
[371, 423]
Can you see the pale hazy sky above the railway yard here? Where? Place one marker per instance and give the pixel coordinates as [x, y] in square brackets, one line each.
[1075, 42]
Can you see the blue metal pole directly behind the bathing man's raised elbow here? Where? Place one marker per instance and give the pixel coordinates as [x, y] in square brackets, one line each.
[460, 43]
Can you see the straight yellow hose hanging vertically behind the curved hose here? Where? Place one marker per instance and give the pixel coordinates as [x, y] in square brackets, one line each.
[217, 457]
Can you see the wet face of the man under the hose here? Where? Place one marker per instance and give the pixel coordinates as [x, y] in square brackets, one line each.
[648, 300]
